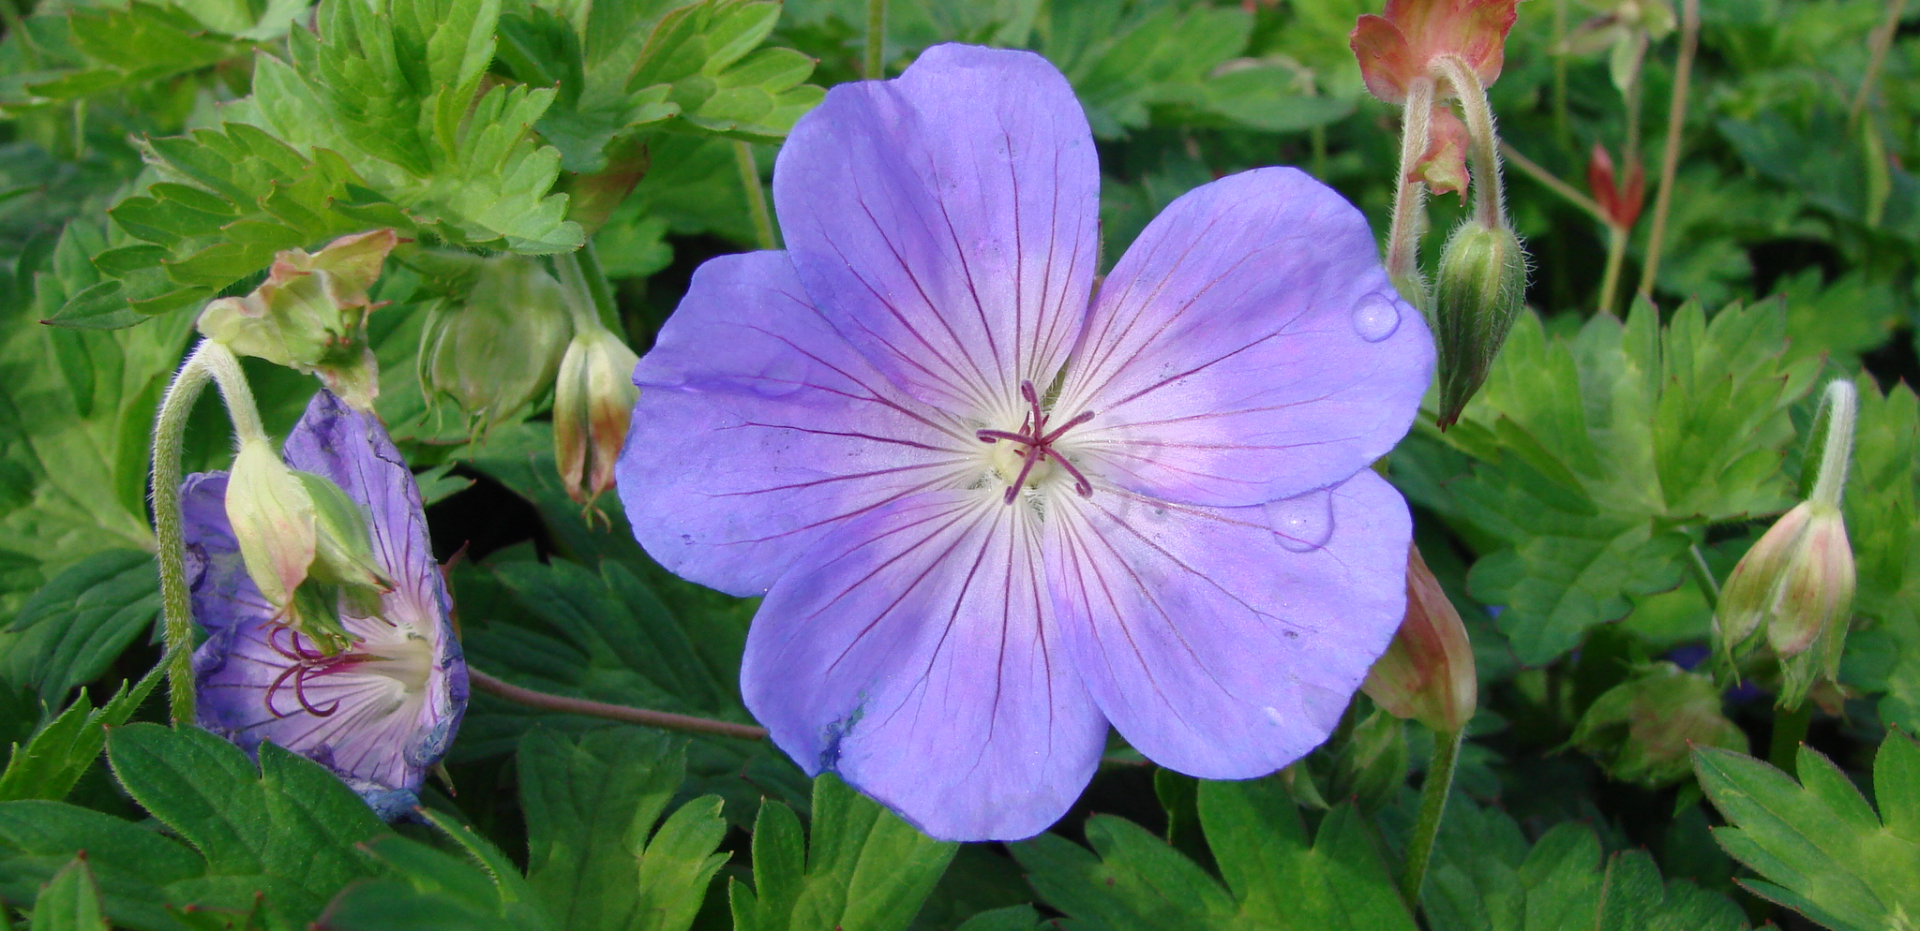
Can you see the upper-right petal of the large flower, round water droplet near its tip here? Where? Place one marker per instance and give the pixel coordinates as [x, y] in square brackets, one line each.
[1247, 348]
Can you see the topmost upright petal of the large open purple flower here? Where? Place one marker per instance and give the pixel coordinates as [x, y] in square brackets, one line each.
[948, 222]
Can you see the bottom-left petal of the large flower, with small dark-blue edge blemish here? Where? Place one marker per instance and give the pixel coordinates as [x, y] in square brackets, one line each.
[915, 654]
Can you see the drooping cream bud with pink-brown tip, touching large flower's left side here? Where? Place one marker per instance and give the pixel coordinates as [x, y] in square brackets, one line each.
[592, 406]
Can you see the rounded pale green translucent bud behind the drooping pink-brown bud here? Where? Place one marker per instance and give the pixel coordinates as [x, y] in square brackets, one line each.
[498, 354]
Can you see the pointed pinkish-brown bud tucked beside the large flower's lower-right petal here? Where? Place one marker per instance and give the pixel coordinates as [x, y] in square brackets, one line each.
[1428, 671]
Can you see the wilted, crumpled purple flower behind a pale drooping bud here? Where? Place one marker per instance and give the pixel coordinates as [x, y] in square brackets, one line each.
[385, 709]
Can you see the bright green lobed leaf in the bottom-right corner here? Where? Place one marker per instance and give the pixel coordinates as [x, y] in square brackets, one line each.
[1817, 846]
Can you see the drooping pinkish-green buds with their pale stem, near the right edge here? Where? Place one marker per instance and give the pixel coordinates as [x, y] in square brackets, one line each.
[1796, 586]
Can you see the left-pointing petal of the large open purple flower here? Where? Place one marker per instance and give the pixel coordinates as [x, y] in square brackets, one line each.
[759, 429]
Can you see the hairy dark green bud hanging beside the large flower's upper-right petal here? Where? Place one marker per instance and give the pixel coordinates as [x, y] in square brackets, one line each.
[1483, 285]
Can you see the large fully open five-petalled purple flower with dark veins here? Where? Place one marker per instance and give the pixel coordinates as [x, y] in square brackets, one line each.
[990, 517]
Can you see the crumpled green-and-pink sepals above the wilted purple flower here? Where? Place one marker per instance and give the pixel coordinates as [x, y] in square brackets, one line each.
[312, 314]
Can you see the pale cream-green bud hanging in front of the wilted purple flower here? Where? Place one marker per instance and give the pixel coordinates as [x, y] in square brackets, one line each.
[274, 521]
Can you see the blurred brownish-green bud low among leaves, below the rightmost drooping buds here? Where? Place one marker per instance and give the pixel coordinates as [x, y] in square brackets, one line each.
[1646, 728]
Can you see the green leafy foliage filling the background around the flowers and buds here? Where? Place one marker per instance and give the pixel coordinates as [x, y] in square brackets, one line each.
[156, 155]
